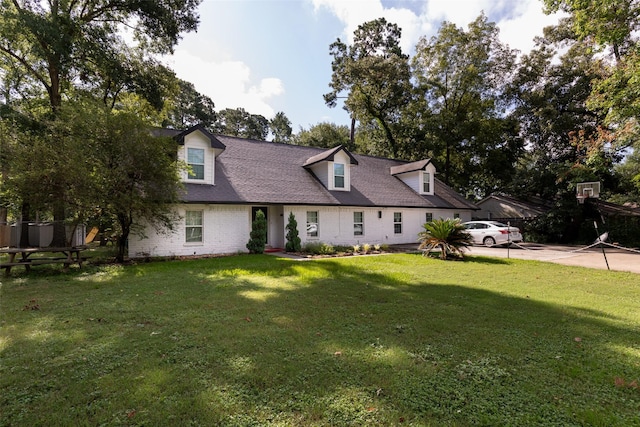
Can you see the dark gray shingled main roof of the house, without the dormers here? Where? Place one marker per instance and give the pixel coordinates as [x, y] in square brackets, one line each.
[259, 172]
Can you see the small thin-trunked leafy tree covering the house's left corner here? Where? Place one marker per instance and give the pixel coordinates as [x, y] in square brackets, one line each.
[138, 177]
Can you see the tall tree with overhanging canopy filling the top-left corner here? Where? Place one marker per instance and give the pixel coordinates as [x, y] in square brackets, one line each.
[59, 46]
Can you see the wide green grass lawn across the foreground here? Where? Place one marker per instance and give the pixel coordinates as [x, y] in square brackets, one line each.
[382, 340]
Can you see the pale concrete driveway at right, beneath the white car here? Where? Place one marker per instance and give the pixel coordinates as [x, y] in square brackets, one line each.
[618, 259]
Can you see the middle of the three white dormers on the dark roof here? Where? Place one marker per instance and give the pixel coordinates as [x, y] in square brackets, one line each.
[333, 168]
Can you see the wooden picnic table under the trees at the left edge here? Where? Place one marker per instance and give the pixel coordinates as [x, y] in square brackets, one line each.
[21, 256]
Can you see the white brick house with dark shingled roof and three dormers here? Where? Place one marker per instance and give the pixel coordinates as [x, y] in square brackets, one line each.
[337, 197]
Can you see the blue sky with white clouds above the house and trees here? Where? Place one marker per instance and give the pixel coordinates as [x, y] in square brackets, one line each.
[268, 56]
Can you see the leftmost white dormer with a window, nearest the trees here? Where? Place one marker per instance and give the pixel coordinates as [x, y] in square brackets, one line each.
[199, 149]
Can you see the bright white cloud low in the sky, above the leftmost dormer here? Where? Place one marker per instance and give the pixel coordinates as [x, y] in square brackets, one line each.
[228, 83]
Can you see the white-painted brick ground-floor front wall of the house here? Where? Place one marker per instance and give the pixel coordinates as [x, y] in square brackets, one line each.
[226, 228]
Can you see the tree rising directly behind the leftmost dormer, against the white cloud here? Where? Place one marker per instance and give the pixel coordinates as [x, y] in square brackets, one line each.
[190, 108]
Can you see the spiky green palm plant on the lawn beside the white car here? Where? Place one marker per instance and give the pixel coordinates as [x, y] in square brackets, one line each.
[449, 235]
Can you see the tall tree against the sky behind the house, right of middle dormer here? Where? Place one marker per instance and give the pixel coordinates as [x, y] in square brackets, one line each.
[375, 75]
